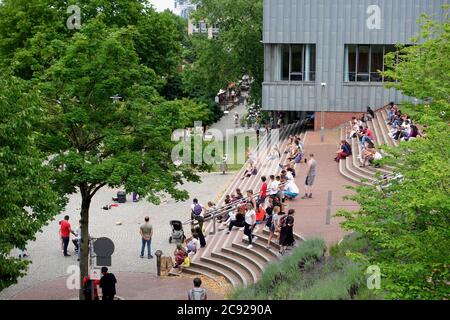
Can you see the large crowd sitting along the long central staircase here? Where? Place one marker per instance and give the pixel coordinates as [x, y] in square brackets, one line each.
[253, 211]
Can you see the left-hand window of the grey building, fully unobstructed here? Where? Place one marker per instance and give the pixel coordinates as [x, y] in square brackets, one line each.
[297, 62]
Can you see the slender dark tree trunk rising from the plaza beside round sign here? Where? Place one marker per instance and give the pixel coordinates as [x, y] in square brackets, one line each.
[84, 247]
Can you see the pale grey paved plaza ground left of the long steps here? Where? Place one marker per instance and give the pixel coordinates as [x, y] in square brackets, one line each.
[49, 263]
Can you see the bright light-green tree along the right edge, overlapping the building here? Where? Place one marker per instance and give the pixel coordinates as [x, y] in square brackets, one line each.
[407, 221]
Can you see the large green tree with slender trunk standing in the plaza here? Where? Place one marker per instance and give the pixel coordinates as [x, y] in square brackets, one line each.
[100, 143]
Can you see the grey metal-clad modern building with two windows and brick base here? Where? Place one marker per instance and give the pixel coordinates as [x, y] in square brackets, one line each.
[324, 55]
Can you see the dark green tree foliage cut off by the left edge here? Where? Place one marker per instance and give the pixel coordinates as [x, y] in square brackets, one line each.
[28, 200]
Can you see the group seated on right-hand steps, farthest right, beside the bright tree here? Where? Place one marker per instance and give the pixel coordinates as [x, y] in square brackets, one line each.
[403, 127]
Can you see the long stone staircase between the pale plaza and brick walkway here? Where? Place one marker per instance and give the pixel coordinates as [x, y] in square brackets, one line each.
[227, 255]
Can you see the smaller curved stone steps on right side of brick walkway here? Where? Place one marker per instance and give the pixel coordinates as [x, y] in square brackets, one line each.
[349, 167]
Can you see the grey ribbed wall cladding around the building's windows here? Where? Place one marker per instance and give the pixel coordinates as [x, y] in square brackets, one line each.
[330, 24]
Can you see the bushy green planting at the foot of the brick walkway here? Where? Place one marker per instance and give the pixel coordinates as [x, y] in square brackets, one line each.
[310, 275]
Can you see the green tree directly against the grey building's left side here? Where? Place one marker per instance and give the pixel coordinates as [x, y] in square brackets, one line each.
[237, 50]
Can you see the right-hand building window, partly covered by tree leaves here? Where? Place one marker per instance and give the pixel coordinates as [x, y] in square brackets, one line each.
[363, 62]
